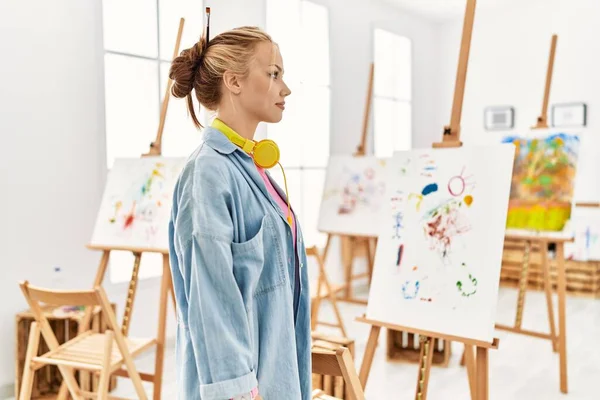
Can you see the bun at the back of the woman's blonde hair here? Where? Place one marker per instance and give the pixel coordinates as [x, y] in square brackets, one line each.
[184, 69]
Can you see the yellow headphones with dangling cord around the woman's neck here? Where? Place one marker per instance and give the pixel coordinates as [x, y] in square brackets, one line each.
[265, 153]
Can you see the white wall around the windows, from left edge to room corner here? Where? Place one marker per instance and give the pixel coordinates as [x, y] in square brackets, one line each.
[52, 122]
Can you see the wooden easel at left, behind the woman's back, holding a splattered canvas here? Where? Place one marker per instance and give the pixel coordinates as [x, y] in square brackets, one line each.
[166, 285]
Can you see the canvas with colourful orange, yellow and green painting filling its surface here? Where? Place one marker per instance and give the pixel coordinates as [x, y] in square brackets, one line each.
[543, 181]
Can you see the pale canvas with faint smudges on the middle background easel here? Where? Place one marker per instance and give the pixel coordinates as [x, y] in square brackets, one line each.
[352, 196]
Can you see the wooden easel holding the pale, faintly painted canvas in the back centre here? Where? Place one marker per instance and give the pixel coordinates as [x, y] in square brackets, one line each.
[351, 243]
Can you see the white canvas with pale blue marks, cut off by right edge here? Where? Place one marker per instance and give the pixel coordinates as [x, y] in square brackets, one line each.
[585, 225]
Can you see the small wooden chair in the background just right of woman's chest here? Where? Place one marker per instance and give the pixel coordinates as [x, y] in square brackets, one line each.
[323, 289]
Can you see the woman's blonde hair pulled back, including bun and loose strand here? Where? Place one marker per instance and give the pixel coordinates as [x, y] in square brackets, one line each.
[201, 67]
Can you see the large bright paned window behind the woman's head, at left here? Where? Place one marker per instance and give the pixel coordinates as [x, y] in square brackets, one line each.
[137, 58]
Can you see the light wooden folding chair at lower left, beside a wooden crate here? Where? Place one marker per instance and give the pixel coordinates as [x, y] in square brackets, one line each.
[101, 353]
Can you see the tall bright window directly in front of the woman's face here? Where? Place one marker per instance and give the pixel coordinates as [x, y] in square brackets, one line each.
[301, 28]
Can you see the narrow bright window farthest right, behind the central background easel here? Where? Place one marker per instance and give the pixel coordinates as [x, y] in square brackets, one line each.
[392, 107]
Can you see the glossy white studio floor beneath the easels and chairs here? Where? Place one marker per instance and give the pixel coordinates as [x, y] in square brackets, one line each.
[523, 368]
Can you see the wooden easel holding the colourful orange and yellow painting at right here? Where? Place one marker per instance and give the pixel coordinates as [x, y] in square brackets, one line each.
[558, 339]
